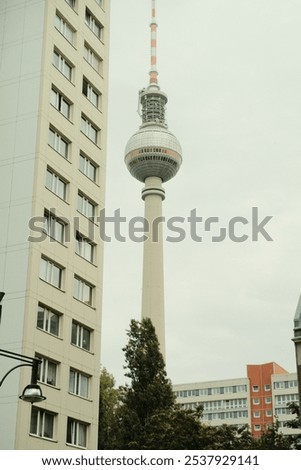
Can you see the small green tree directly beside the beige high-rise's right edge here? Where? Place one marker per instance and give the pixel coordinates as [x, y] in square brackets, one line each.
[108, 405]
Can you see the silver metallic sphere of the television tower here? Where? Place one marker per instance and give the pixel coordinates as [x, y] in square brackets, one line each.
[153, 151]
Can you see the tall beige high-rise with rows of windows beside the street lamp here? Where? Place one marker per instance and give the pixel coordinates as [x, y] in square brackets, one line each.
[53, 94]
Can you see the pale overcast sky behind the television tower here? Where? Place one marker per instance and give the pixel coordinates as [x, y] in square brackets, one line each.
[232, 73]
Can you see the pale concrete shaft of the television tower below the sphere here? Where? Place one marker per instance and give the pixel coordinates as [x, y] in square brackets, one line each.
[153, 272]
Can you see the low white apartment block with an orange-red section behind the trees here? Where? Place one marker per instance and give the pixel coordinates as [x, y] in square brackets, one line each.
[256, 400]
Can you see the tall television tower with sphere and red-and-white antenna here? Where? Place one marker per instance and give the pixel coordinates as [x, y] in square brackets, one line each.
[153, 156]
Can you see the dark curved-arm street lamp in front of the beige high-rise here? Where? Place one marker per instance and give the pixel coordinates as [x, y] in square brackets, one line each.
[32, 392]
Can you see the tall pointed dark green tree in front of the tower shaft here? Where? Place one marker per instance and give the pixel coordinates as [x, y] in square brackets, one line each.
[149, 417]
